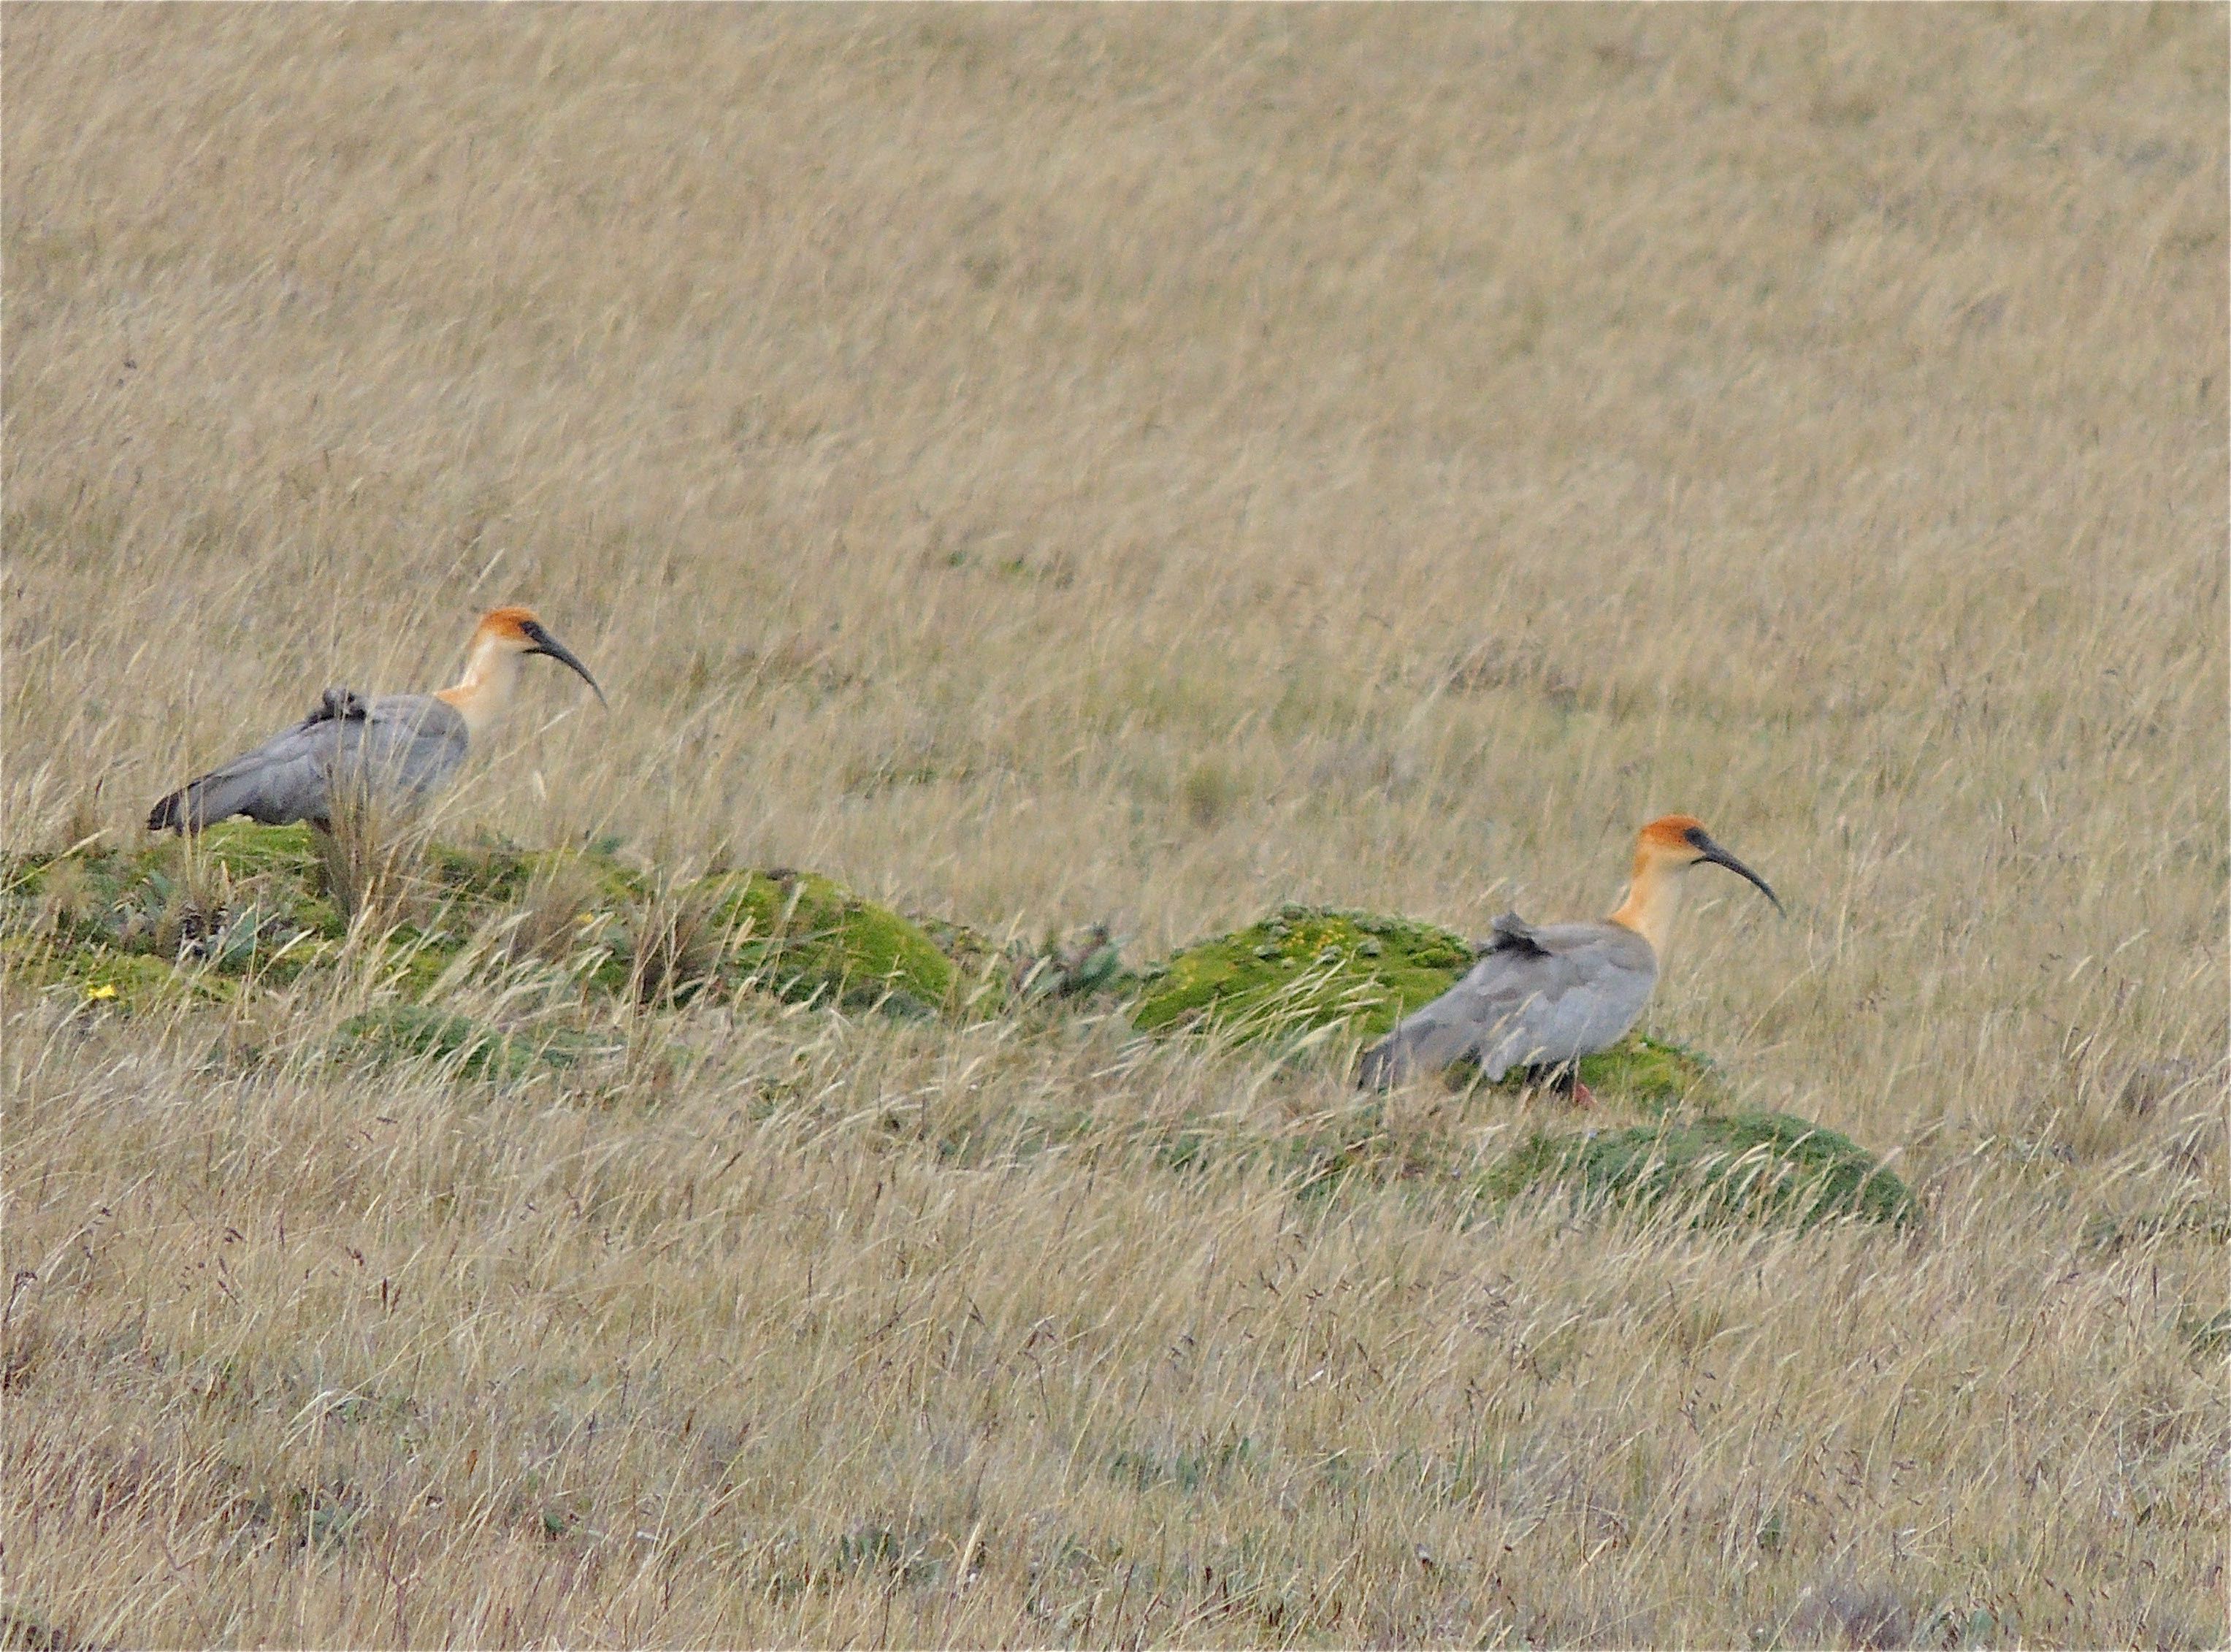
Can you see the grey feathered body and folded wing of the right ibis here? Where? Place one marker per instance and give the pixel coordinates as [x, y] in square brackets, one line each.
[1538, 997]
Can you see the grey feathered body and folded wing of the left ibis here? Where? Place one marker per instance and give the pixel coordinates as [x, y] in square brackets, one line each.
[398, 745]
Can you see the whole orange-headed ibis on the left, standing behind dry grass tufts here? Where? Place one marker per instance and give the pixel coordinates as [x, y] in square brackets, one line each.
[396, 749]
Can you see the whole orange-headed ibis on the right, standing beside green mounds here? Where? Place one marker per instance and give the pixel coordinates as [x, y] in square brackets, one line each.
[1549, 995]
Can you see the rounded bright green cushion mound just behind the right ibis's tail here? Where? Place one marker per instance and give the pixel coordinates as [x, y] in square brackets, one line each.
[1300, 970]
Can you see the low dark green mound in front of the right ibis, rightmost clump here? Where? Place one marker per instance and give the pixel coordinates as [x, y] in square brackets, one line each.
[1746, 1166]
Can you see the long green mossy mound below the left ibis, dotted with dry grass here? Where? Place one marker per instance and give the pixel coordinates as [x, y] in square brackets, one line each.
[251, 903]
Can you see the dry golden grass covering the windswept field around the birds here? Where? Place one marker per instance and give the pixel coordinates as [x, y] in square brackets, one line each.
[1139, 465]
